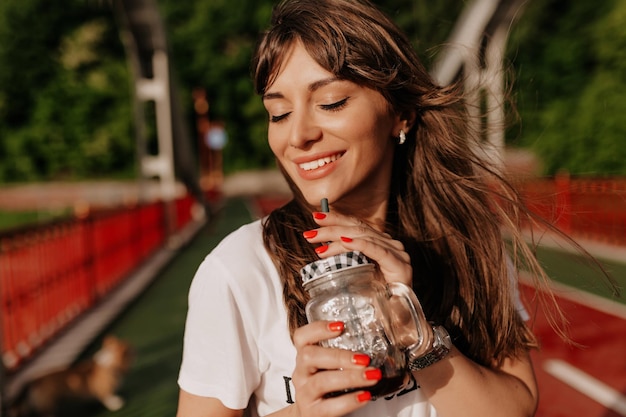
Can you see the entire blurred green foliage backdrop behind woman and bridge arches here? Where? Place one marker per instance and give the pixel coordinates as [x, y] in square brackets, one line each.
[66, 110]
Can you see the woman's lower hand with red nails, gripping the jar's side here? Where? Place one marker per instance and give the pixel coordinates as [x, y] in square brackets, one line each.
[322, 371]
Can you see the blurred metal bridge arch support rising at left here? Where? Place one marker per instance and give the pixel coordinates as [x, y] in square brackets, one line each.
[144, 37]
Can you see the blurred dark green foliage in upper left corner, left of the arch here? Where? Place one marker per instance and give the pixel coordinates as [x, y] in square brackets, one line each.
[65, 106]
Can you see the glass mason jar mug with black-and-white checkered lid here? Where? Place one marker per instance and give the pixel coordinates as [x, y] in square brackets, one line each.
[382, 320]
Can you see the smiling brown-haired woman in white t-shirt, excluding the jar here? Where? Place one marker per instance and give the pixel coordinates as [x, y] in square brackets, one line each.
[355, 118]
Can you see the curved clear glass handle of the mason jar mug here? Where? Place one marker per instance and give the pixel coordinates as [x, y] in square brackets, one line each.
[423, 339]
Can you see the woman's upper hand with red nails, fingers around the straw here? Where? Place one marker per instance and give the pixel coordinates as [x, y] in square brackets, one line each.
[339, 233]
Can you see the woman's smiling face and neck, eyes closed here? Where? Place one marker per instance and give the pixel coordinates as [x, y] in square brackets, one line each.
[334, 138]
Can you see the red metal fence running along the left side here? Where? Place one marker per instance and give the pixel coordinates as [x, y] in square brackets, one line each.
[50, 274]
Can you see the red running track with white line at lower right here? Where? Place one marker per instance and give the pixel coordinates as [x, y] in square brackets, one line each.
[584, 381]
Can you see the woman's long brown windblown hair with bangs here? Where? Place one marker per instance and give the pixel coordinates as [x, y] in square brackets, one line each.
[441, 204]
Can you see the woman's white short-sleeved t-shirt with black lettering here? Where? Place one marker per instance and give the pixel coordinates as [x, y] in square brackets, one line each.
[237, 346]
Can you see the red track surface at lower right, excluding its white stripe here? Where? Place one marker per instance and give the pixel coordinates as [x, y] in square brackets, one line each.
[601, 354]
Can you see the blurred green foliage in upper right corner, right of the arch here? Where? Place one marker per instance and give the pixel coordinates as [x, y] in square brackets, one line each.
[570, 59]
